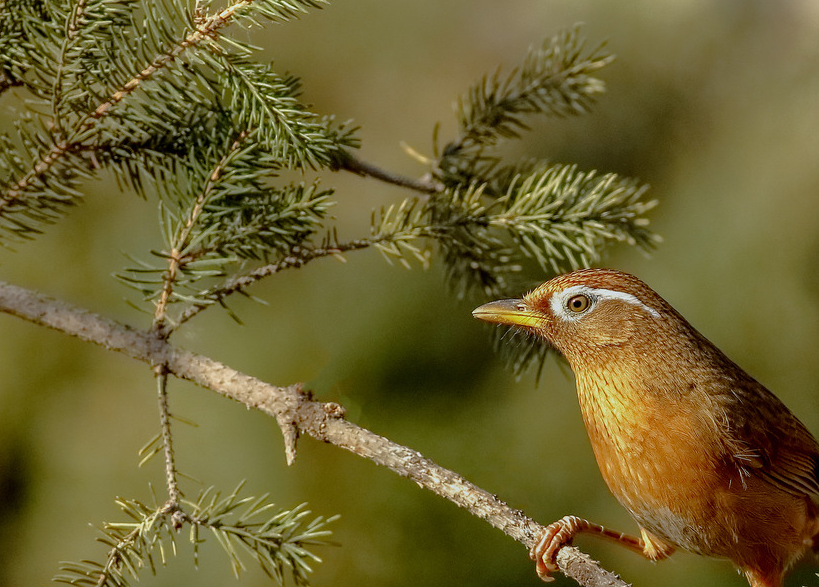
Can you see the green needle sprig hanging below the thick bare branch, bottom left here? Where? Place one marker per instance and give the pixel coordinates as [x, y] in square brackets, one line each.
[277, 540]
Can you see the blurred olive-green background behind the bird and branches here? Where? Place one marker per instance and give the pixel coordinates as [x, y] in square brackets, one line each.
[715, 104]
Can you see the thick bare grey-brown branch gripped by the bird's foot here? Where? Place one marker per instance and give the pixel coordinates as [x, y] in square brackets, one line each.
[296, 412]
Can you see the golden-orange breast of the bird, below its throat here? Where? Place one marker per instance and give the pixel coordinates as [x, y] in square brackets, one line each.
[657, 456]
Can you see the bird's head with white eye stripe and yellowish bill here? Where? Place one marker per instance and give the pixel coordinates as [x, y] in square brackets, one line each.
[585, 312]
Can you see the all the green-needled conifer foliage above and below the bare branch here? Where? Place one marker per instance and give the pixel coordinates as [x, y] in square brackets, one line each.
[157, 93]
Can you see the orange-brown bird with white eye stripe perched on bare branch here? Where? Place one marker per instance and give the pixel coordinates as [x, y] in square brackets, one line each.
[703, 456]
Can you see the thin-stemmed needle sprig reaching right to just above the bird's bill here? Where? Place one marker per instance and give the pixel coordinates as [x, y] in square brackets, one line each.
[556, 214]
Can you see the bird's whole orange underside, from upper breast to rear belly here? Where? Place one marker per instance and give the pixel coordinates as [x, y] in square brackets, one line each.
[664, 458]
